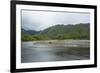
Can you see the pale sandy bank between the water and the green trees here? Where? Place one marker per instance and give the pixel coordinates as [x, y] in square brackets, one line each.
[62, 43]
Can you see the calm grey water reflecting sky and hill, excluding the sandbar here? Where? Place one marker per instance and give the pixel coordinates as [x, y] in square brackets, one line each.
[31, 52]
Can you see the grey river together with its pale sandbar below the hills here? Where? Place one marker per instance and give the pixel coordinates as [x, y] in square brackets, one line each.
[47, 51]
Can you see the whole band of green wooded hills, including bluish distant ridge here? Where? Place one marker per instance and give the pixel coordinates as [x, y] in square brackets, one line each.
[58, 32]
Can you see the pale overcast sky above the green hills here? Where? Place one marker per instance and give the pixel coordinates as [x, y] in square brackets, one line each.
[39, 20]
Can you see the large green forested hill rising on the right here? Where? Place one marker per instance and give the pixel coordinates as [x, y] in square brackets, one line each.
[67, 31]
